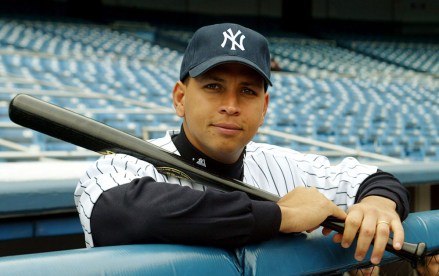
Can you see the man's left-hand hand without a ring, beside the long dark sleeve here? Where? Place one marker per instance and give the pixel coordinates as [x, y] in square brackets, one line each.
[304, 209]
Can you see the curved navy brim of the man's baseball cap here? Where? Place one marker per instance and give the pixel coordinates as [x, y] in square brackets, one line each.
[205, 66]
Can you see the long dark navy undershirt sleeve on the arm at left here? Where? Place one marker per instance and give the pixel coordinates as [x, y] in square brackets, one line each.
[145, 211]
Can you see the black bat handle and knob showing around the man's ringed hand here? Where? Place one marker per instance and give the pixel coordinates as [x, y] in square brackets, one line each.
[412, 252]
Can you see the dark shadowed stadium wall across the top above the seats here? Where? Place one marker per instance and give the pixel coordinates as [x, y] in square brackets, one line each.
[395, 16]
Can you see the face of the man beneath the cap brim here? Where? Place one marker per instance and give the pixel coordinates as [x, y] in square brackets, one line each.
[222, 109]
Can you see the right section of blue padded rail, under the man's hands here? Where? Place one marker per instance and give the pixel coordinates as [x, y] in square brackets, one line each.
[323, 256]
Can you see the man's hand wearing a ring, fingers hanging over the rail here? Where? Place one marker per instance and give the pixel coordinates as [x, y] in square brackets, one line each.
[374, 218]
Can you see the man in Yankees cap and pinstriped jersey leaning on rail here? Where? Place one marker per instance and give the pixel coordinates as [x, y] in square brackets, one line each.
[222, 98]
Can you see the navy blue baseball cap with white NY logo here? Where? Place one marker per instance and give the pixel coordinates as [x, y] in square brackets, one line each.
[224, 43]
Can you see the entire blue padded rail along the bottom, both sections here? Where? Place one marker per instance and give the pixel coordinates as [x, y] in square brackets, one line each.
[286, 255]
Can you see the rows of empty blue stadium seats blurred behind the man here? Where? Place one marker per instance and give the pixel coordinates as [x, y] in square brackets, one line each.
[326, 92]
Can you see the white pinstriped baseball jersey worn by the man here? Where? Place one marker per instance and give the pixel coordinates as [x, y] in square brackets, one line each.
[271, 168]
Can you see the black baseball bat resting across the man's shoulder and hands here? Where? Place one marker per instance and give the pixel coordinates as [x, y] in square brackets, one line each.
[85, 132]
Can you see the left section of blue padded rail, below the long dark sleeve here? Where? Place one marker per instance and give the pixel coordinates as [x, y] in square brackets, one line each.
[151, 259]
